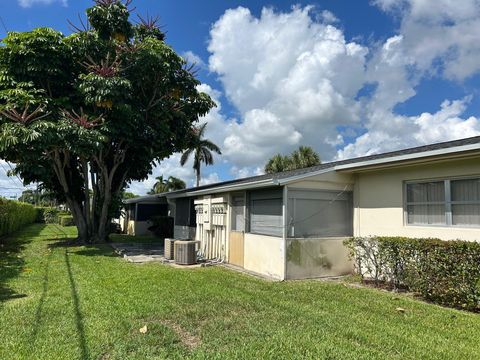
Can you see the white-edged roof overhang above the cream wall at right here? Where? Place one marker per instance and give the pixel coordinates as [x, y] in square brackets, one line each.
[406, 159]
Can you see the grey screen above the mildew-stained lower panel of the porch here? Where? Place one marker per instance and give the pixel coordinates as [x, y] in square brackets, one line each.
[319, 214]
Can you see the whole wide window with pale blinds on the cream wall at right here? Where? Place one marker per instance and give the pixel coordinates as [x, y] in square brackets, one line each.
[446, 202]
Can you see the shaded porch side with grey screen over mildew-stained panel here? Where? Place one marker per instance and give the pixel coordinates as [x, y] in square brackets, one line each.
[317, 223]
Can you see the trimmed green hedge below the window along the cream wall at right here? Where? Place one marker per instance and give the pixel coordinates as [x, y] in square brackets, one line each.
[445, 272]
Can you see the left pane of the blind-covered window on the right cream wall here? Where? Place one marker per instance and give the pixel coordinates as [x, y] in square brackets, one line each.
[426, 203]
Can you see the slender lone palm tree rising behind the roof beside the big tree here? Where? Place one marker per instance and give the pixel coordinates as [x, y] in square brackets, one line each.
[202, 150]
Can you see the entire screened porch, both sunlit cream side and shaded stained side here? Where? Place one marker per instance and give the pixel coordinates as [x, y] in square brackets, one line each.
[309, 238]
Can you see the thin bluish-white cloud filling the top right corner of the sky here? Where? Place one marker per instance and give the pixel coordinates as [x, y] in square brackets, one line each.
[441, 35]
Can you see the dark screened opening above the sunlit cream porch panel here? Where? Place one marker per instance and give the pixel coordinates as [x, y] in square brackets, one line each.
[266, 212]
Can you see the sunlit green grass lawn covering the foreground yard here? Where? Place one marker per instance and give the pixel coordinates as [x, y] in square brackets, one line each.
[64, 302]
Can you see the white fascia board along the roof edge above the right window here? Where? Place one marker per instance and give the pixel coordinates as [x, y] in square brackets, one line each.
[406, 157]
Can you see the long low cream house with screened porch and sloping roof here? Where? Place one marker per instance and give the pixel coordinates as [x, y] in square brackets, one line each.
[291, 225]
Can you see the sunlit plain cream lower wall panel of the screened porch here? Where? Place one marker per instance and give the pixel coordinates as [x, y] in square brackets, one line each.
[265, 255]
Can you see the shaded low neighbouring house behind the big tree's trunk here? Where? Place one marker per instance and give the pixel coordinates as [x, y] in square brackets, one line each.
[137, 212]
